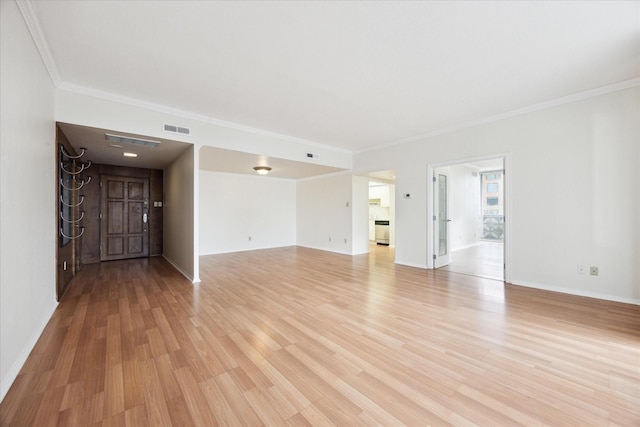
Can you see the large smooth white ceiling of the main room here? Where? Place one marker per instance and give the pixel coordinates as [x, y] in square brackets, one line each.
[353, 75]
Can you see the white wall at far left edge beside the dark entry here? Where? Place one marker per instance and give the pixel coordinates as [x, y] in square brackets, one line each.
[27, 194]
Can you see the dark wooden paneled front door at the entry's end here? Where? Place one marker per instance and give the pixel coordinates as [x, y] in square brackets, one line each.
[124, 226]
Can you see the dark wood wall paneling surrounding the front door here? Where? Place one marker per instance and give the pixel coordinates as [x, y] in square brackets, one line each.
[91, 239]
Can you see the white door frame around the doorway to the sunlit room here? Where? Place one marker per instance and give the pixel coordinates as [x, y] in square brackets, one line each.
[506, 159]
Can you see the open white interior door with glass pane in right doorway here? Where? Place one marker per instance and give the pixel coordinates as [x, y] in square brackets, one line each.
[441, 249]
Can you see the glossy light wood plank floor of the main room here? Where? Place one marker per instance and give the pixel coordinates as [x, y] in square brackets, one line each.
[295, 336]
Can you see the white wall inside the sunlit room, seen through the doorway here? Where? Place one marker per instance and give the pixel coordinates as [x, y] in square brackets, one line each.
[466, 220]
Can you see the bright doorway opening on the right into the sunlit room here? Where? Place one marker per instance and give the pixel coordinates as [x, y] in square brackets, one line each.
[468, 216]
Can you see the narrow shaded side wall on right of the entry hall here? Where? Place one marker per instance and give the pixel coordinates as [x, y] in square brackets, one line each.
[179, 214]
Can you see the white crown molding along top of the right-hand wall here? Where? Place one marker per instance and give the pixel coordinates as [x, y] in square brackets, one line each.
[535, 107]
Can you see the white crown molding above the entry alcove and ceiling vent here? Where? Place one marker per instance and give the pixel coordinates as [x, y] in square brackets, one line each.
[108, 96]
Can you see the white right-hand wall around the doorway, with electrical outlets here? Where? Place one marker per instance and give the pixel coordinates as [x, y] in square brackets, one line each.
[574, 192]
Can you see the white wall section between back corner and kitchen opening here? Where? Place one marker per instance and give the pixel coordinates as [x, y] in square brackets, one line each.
[324, 213]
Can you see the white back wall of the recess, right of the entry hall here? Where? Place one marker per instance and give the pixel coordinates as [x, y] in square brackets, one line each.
[234, 207]
